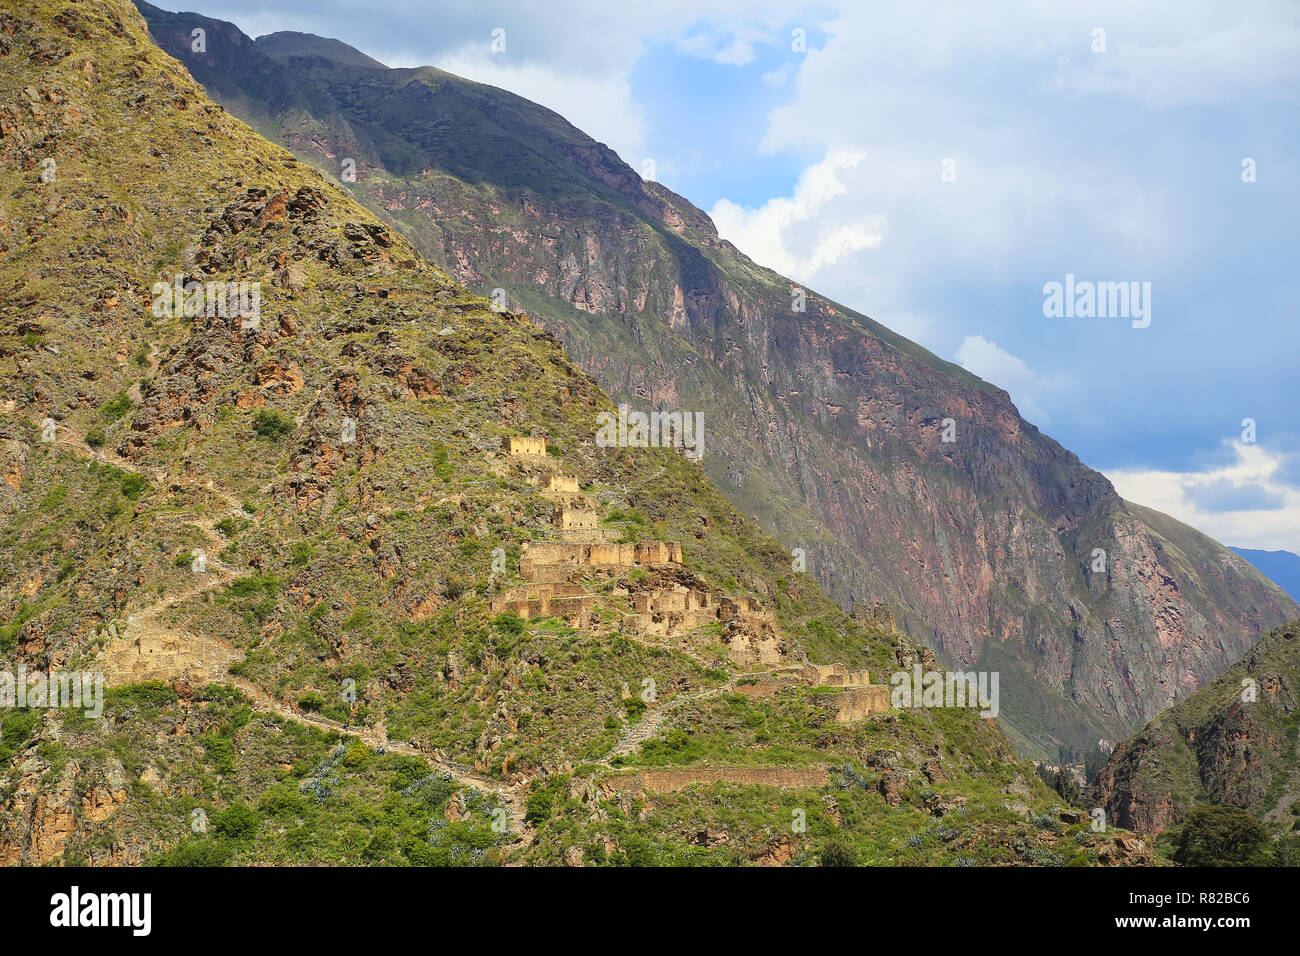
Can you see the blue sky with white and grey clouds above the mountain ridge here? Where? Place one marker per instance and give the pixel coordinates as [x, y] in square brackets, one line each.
[938, 166]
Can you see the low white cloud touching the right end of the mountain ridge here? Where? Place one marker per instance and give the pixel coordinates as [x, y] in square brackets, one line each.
[1186, 496]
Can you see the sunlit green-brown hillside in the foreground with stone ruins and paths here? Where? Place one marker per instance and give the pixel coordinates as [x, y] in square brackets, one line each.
[363, 589]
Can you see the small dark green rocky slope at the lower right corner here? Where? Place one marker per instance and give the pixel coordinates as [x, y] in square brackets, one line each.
[1233, 742]
